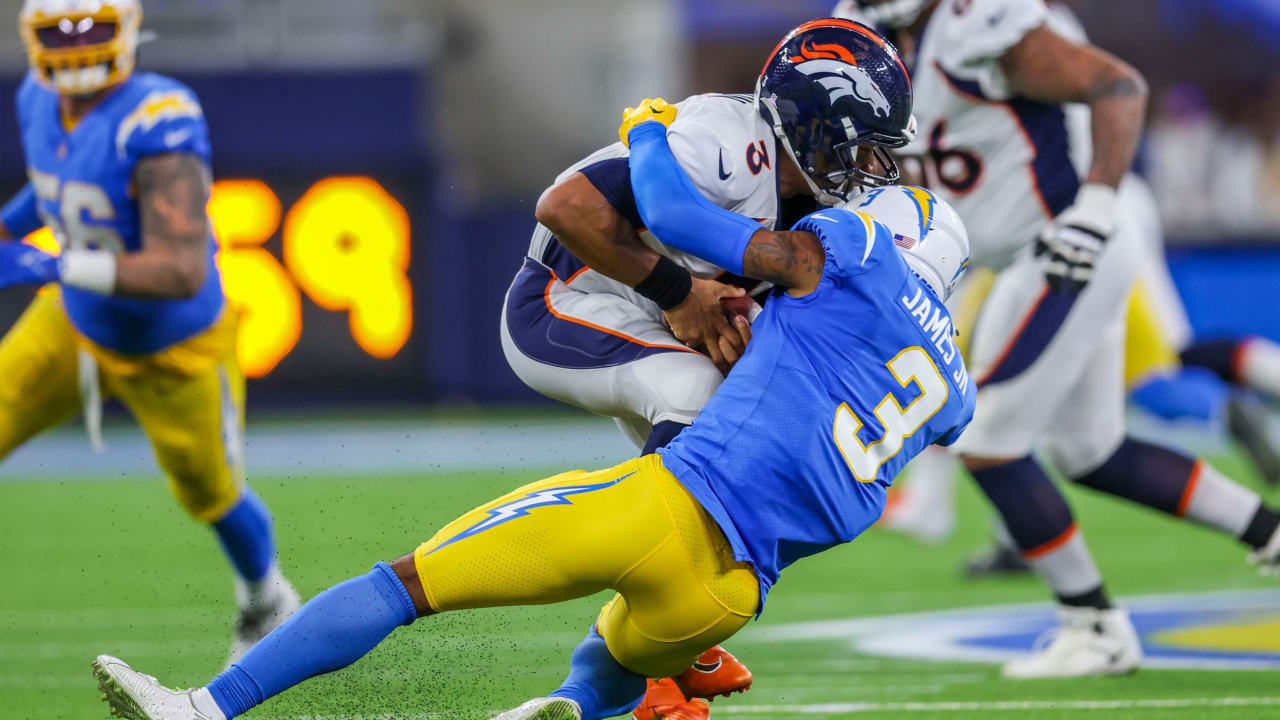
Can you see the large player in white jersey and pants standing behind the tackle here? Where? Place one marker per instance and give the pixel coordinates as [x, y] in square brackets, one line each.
[996, 92]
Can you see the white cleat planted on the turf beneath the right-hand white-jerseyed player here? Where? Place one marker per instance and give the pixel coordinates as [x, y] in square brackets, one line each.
[1089, 642]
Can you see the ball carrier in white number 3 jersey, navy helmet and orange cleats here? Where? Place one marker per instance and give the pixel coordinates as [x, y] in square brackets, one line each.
[605, 317]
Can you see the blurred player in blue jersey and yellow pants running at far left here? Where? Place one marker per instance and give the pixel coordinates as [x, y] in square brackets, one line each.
[134, 308]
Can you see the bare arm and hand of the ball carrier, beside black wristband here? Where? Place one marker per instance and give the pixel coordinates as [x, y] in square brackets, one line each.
[598, 235]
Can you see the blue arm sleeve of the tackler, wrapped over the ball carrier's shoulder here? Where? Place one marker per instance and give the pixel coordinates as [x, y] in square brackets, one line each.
[676, 212]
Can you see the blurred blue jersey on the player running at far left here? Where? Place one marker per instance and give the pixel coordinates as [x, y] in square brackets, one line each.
[83, 183]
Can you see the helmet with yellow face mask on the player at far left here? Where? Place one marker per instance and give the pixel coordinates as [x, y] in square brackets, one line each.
[81, 47]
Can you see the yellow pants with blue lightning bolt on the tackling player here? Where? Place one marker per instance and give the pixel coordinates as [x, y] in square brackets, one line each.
[633, 528]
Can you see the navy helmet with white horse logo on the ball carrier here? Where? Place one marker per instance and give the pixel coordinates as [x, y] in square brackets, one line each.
[838, 98]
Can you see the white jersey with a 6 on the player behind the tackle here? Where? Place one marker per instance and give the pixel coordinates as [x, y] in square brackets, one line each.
[1005, 163]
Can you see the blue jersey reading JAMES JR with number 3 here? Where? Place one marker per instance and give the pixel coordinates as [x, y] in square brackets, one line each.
[838, 390]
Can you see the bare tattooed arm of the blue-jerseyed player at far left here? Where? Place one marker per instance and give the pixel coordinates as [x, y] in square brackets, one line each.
[172, 193]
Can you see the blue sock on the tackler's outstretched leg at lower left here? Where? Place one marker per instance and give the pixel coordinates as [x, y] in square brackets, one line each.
[333, 630]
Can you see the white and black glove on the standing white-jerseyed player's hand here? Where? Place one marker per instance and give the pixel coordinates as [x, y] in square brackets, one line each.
[1073, 241]
